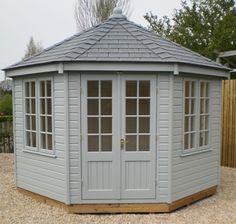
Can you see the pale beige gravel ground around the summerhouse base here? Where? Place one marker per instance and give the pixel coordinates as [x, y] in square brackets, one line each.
[17, 208]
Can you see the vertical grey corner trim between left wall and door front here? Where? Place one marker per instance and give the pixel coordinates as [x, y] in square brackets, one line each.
[66, 129]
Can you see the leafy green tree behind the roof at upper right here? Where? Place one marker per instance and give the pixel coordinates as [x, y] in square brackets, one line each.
[204, 26]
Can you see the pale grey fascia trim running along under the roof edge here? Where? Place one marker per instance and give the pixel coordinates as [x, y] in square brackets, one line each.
[119, 66]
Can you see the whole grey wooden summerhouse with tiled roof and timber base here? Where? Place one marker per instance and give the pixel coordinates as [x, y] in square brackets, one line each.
[116, 117]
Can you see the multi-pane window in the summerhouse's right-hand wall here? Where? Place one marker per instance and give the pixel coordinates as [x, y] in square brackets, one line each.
[196, 114]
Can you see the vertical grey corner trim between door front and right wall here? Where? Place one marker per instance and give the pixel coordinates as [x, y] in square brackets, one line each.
[170, 151]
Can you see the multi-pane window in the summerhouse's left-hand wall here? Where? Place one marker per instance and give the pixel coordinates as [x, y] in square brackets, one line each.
[38, 115]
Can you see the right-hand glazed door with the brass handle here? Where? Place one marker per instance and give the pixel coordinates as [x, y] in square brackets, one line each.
[138, 119]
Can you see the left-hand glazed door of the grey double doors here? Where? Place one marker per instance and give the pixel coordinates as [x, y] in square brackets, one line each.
[100, 138]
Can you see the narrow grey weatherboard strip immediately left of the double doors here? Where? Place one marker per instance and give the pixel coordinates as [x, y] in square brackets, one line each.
[74, 137]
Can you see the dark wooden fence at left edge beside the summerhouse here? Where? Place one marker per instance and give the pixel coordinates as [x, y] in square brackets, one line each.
[6, 135]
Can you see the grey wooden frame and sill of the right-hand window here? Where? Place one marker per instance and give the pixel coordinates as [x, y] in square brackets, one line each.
[198, 148]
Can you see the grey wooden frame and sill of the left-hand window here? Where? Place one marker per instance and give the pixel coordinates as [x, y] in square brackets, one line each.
[38, 149]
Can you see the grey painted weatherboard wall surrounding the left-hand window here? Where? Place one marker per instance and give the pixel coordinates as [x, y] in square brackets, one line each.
[38, 173]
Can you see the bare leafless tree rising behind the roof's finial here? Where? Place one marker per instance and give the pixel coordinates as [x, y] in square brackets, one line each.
[89, 13]
